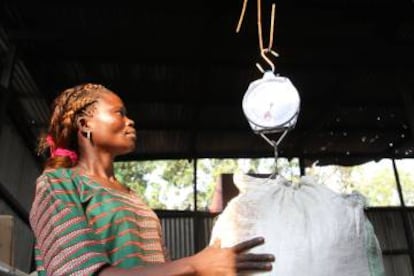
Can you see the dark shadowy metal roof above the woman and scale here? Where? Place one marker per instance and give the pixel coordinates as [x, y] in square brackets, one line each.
[182, 71]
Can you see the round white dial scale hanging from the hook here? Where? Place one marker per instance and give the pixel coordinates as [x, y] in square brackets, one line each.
[271, 104]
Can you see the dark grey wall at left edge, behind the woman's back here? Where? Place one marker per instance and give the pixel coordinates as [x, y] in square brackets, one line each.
[18, 172]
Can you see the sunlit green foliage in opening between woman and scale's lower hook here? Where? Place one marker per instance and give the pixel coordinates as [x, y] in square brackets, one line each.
[168, 184]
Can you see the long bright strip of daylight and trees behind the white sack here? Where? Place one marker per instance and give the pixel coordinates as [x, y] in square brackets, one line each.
[169, 184]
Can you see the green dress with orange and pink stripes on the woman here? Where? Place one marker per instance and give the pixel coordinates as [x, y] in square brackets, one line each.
[81, 226]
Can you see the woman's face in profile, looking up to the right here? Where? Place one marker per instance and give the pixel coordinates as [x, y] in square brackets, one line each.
[111, 130]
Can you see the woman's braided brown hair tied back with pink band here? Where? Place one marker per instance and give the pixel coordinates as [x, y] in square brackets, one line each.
[66, 109]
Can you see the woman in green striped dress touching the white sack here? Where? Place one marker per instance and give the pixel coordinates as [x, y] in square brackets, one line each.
[86, 222]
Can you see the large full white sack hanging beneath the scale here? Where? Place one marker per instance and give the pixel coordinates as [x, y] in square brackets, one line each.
[311, 230]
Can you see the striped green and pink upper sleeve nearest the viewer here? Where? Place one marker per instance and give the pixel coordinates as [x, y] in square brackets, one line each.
[65, 243]
